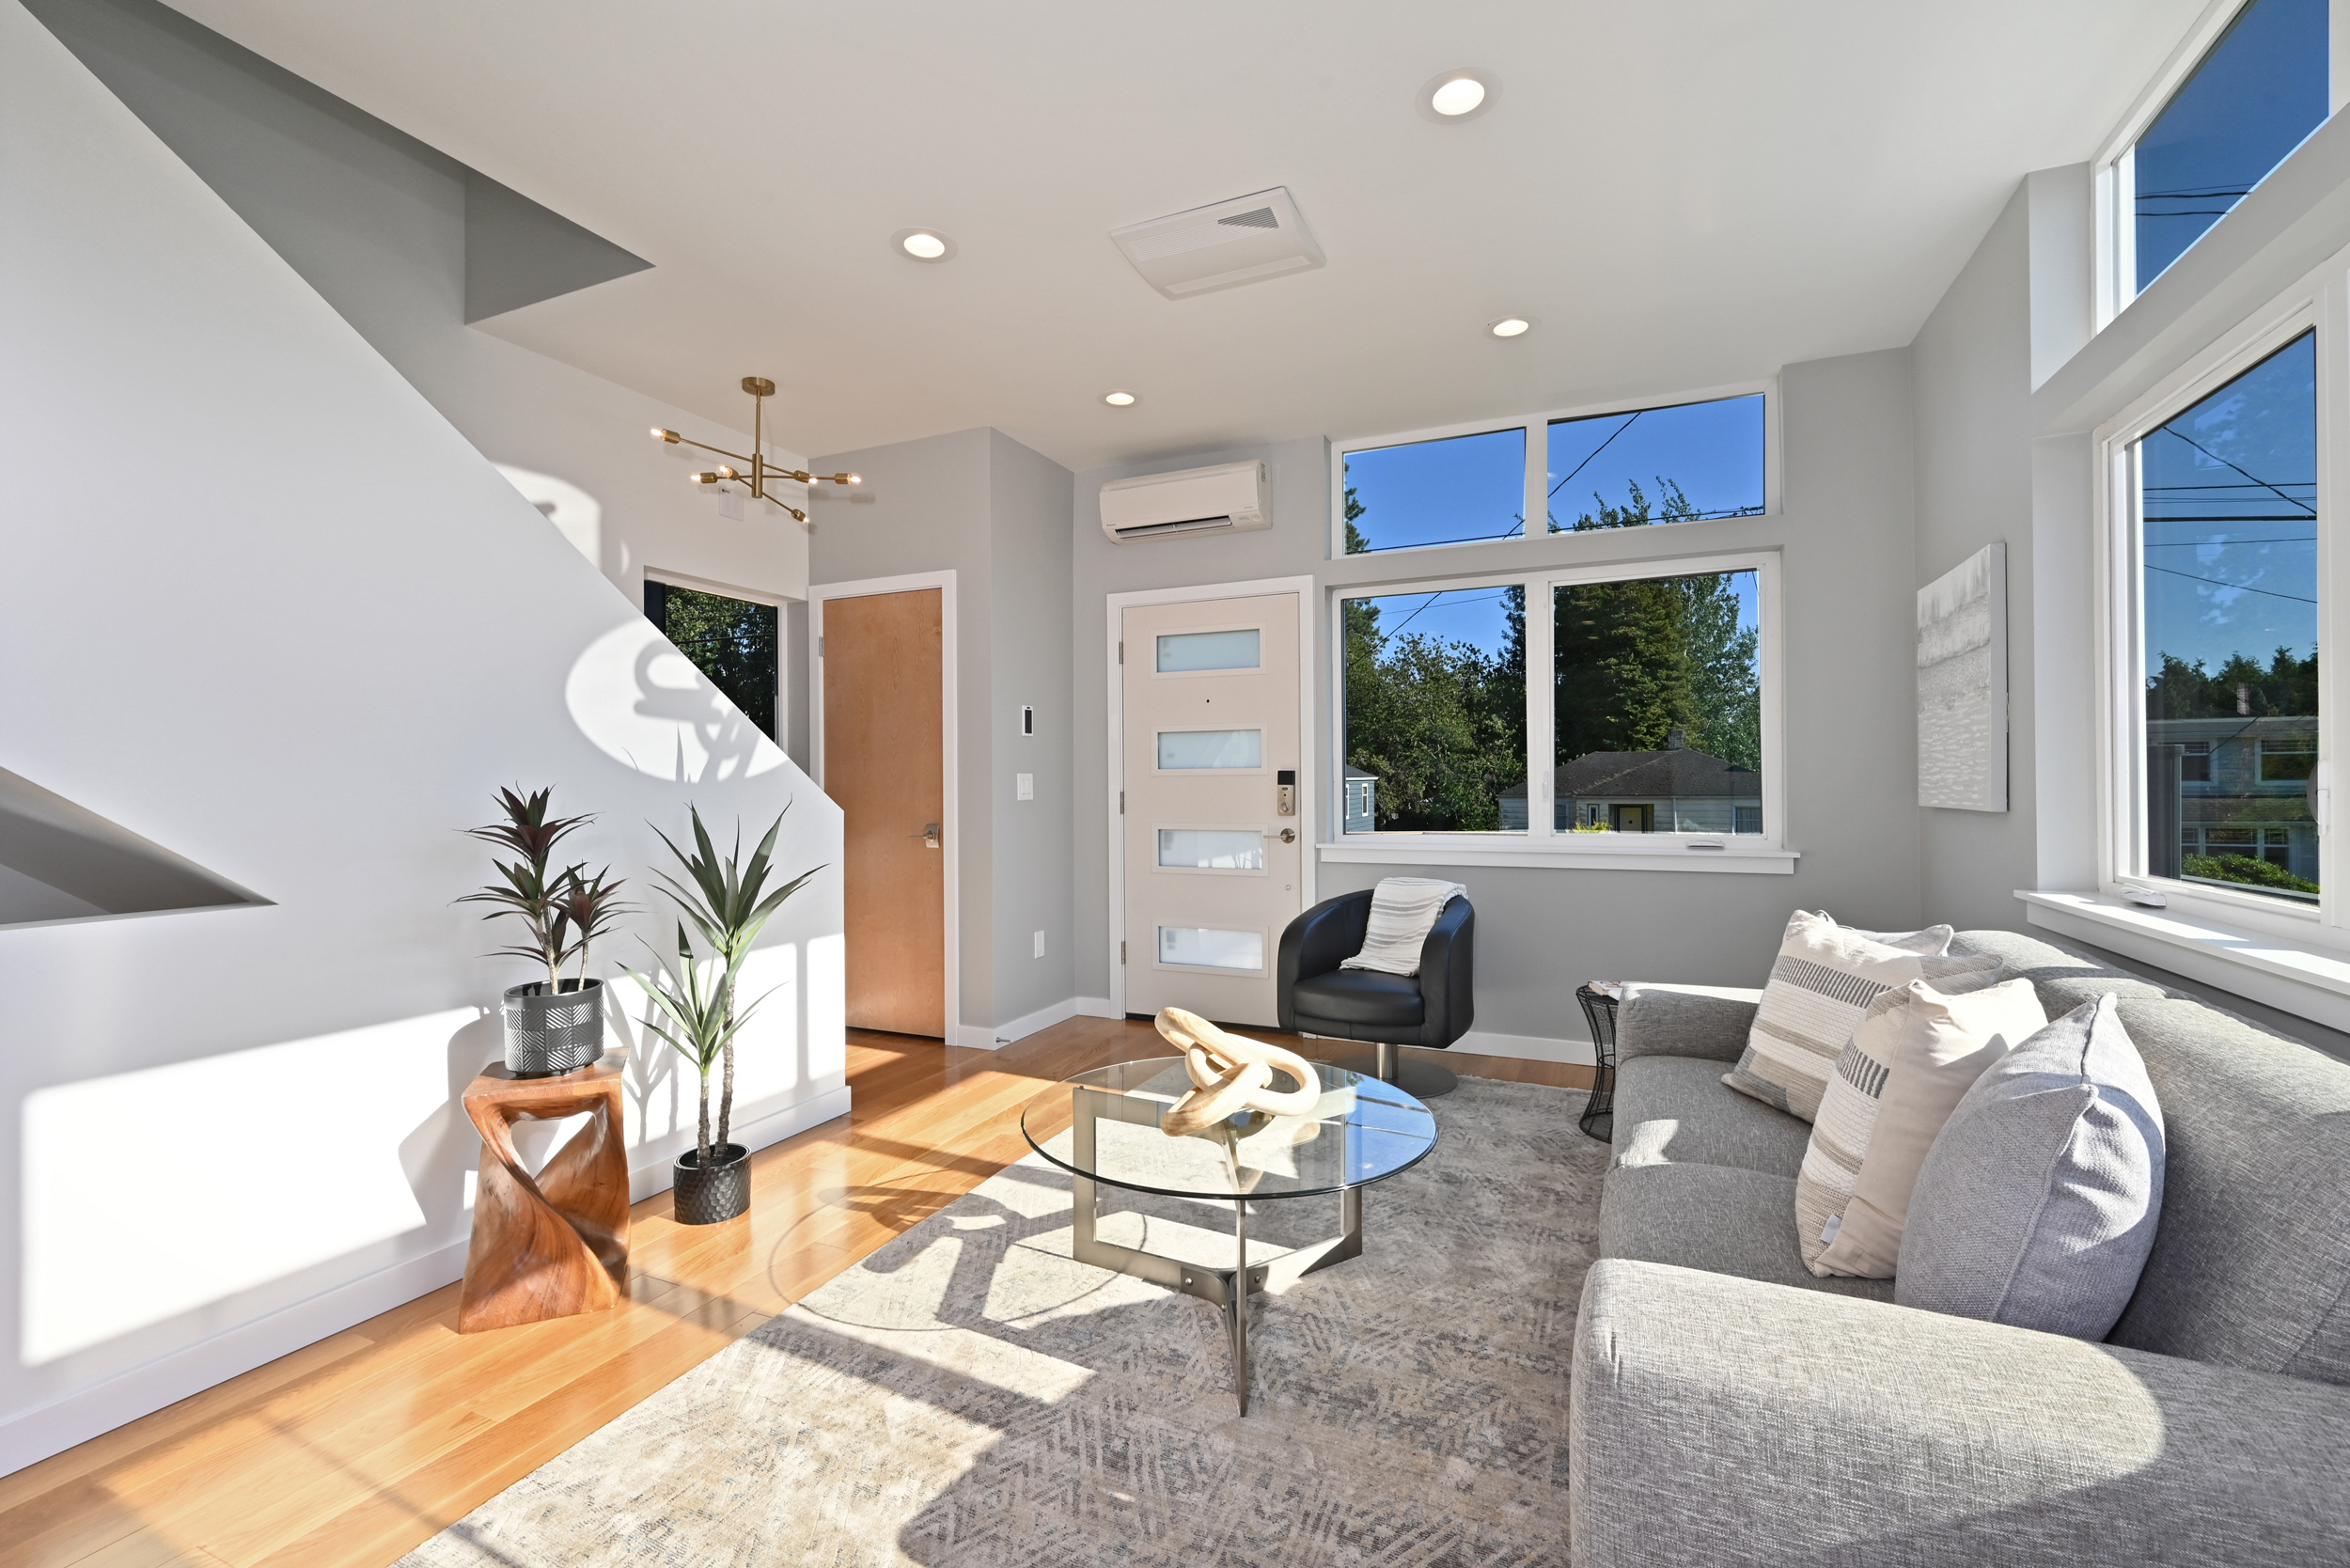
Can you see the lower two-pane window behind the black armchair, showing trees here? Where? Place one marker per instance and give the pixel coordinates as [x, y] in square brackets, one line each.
[1653, 718]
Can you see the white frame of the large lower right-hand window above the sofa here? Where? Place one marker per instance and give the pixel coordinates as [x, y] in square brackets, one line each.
[2316, 304]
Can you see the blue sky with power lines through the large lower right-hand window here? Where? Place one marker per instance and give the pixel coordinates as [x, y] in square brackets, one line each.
[2231, 518]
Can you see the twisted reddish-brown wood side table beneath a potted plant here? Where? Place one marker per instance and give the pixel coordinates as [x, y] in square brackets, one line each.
[553, 1245]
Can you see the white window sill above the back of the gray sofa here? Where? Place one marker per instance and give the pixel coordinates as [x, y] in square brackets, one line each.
[2264, 967]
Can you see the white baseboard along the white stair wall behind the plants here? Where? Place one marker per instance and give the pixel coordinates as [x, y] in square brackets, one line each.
[142, 1391]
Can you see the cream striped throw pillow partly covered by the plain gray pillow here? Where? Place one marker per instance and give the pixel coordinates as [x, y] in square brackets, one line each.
[1898, 1083]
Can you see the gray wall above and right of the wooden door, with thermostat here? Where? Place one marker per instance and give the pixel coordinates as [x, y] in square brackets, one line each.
[998, 516]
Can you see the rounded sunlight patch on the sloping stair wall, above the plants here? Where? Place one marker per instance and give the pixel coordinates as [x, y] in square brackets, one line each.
[650, 709]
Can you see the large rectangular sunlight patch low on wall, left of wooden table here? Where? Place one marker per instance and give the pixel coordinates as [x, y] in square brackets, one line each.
[159, 1193]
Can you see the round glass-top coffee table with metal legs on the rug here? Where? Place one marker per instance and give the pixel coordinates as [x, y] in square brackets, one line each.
[1103, 1127]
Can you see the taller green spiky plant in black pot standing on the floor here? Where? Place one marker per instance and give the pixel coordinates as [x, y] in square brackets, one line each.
[701, 1003]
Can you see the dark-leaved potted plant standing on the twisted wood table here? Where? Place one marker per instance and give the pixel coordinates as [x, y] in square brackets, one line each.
[558, 1024]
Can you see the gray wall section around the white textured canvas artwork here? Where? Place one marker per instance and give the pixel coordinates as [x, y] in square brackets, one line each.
[1975, 485]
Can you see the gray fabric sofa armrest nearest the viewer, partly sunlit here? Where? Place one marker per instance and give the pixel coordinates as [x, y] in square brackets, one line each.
[1724, 1421]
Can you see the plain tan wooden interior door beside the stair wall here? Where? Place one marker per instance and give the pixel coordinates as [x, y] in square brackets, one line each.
[885, 765]
